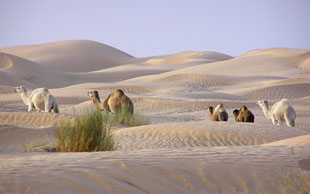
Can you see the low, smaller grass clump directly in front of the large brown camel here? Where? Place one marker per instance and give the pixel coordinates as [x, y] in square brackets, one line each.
[130, 119]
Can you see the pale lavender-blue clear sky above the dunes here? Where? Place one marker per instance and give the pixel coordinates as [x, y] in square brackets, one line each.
[156, 27]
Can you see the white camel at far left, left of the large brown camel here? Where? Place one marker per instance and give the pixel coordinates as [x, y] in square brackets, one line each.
[40, 99]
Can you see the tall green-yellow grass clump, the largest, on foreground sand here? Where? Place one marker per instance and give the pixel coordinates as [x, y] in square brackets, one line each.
[88, 133]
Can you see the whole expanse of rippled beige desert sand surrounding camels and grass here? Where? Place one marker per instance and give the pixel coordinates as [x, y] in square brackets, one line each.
[181, 151]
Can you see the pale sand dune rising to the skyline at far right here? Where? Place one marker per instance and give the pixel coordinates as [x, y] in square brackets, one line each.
[261, 64]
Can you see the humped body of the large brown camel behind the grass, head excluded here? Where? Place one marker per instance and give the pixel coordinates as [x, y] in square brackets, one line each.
[118, 102]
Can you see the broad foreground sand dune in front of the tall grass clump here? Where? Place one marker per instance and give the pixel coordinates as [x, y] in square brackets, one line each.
[197, 170]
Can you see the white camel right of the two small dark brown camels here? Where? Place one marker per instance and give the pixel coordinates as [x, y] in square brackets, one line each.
[281, 111]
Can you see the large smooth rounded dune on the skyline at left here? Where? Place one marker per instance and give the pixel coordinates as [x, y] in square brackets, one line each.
[71, 55]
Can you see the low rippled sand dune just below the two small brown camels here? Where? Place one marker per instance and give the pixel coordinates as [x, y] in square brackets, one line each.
[202, 134]
